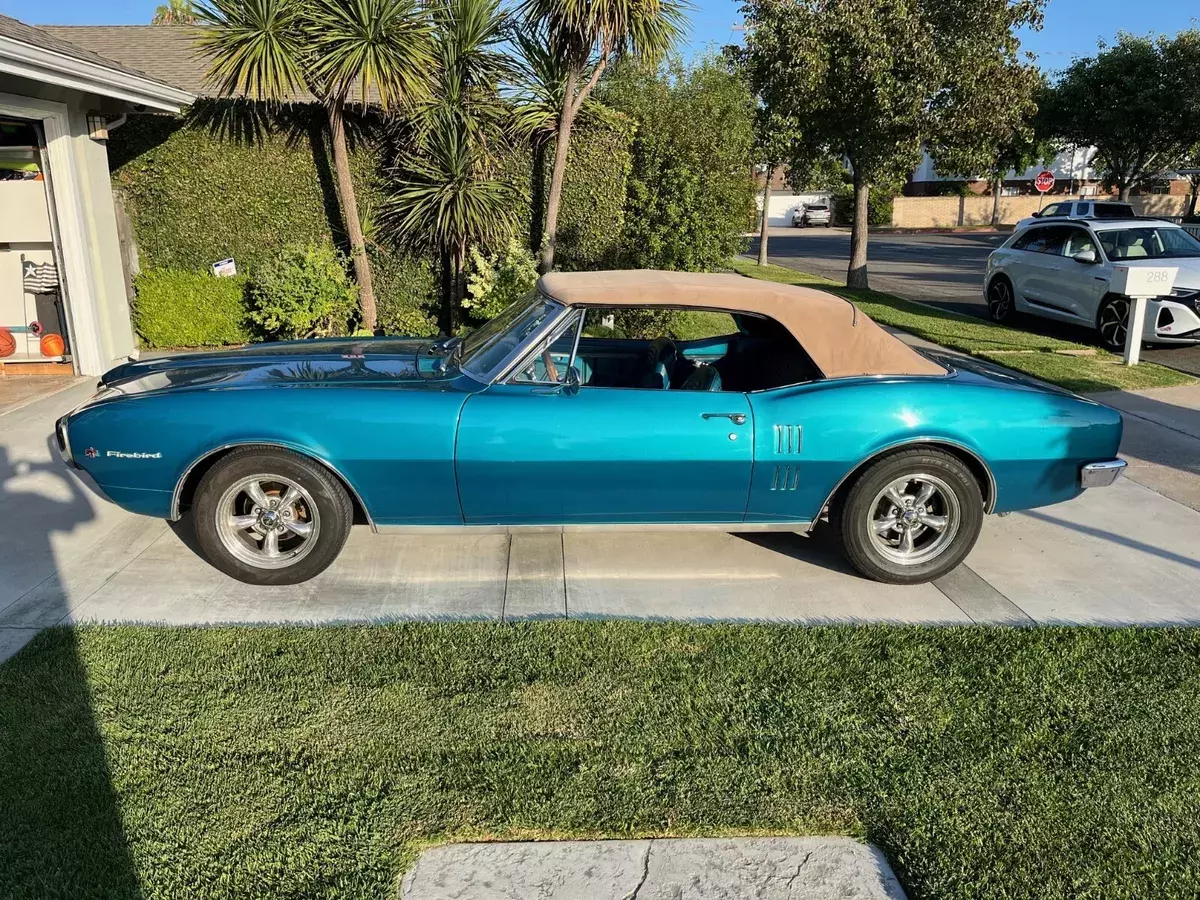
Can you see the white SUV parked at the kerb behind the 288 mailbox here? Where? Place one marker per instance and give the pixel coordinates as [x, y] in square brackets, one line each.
[1061, 271]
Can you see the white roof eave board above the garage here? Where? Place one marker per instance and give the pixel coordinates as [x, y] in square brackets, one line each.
[41, 65]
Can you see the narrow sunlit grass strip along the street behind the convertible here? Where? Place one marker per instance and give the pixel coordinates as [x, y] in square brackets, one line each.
[1041, 357]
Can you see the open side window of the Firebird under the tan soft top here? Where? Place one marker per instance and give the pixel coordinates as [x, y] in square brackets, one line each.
[649, 349]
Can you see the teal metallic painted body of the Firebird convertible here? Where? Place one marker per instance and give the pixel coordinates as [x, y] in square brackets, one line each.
[428, 449]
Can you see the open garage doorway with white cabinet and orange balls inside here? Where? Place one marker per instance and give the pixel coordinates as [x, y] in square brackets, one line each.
[34, 335]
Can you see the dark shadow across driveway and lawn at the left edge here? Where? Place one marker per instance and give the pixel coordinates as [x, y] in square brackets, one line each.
[61, 825]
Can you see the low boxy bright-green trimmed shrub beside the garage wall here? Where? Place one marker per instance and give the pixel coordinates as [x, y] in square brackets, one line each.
[189, 309]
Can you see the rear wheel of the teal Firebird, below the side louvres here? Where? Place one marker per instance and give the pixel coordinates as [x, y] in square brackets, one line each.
[910, 518]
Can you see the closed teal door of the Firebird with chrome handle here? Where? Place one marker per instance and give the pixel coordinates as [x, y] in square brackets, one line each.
[609, 455]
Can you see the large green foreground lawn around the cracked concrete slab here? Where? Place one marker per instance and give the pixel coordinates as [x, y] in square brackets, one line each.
[1045, 764]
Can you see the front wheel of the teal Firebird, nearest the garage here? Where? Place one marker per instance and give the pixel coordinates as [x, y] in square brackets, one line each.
[269, 517]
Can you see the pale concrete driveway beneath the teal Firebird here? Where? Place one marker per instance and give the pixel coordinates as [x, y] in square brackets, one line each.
[1117, 556]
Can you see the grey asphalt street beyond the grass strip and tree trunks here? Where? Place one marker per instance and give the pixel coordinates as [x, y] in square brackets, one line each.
[944, 271]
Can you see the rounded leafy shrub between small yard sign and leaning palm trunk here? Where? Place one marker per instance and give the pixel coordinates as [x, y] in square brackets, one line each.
[305, 293]
